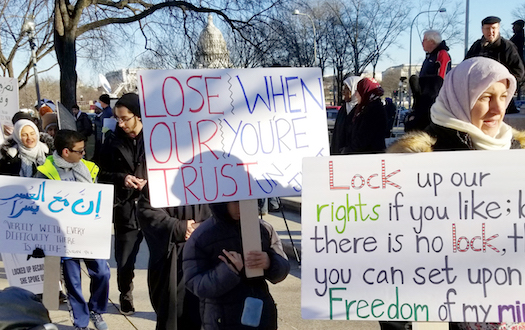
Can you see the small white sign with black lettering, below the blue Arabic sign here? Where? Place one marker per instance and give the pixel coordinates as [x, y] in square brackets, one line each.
[24, 273]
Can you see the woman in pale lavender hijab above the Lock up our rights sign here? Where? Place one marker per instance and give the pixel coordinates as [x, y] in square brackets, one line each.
[468, 113]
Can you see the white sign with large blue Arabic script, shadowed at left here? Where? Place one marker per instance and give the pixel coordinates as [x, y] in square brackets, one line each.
[67, 219]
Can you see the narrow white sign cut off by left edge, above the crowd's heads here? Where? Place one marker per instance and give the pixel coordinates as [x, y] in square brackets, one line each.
[8, 104]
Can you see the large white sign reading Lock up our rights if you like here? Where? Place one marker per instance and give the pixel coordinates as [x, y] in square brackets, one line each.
[414, 237]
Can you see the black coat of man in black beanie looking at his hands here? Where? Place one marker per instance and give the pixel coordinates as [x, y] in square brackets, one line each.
[121, 156]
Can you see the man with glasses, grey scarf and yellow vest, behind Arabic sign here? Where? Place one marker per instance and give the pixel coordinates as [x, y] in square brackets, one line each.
[67, 164]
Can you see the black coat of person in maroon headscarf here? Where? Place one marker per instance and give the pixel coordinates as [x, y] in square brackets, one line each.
[366, 133]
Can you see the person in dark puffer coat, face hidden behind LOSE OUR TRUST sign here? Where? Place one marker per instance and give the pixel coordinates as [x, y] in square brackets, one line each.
[214, 263]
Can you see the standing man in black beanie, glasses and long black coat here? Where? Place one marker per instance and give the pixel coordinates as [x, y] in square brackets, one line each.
[123, 164]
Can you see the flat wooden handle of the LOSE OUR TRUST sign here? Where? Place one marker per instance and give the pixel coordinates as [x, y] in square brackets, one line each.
[250, 232]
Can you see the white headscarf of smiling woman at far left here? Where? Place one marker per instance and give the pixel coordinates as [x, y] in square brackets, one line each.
[29, 156]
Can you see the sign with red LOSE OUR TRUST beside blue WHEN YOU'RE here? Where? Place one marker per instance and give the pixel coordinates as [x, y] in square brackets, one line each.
[230, 134]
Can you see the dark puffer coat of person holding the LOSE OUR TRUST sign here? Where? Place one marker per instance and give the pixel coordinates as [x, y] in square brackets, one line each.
[222, 292]
